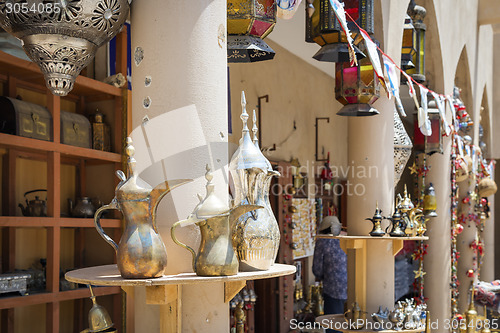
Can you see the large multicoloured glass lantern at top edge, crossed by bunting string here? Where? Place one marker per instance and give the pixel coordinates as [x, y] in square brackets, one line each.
[323, 28]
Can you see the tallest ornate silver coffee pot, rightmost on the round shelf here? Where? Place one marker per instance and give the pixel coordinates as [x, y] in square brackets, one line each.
[256, 235]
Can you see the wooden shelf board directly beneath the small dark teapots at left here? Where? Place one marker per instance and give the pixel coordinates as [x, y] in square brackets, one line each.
[47, 222]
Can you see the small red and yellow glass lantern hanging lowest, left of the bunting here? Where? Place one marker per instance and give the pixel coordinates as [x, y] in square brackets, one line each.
[356, 88]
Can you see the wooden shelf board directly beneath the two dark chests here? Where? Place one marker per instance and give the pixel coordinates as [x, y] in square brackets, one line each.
[28, 144]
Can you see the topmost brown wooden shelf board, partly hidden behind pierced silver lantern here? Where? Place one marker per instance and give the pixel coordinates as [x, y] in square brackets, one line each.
[29, 72]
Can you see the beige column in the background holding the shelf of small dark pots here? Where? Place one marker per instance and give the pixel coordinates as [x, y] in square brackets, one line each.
[370, 179]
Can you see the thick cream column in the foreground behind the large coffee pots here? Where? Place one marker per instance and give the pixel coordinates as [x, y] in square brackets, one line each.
[179, 84]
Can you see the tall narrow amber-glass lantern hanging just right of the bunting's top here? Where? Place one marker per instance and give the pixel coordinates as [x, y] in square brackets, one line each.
[417, 14]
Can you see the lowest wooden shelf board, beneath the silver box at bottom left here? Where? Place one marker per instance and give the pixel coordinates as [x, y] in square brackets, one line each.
[47, 297]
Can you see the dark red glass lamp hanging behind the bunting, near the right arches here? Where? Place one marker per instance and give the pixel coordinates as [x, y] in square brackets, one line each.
[433, 143]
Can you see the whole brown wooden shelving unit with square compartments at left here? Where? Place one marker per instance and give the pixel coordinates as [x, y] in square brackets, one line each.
[19, 75]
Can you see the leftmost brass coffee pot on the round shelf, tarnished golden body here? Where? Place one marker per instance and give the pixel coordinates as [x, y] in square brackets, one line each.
[141, 253]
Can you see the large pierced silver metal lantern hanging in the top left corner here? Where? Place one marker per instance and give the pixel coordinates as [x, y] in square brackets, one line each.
[62, 37]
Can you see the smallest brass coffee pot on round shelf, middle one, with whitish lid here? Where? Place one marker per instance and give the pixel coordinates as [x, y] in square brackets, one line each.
[216, 255]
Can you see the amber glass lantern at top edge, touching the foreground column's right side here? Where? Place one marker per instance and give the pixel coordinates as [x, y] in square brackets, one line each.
[248, 23]
